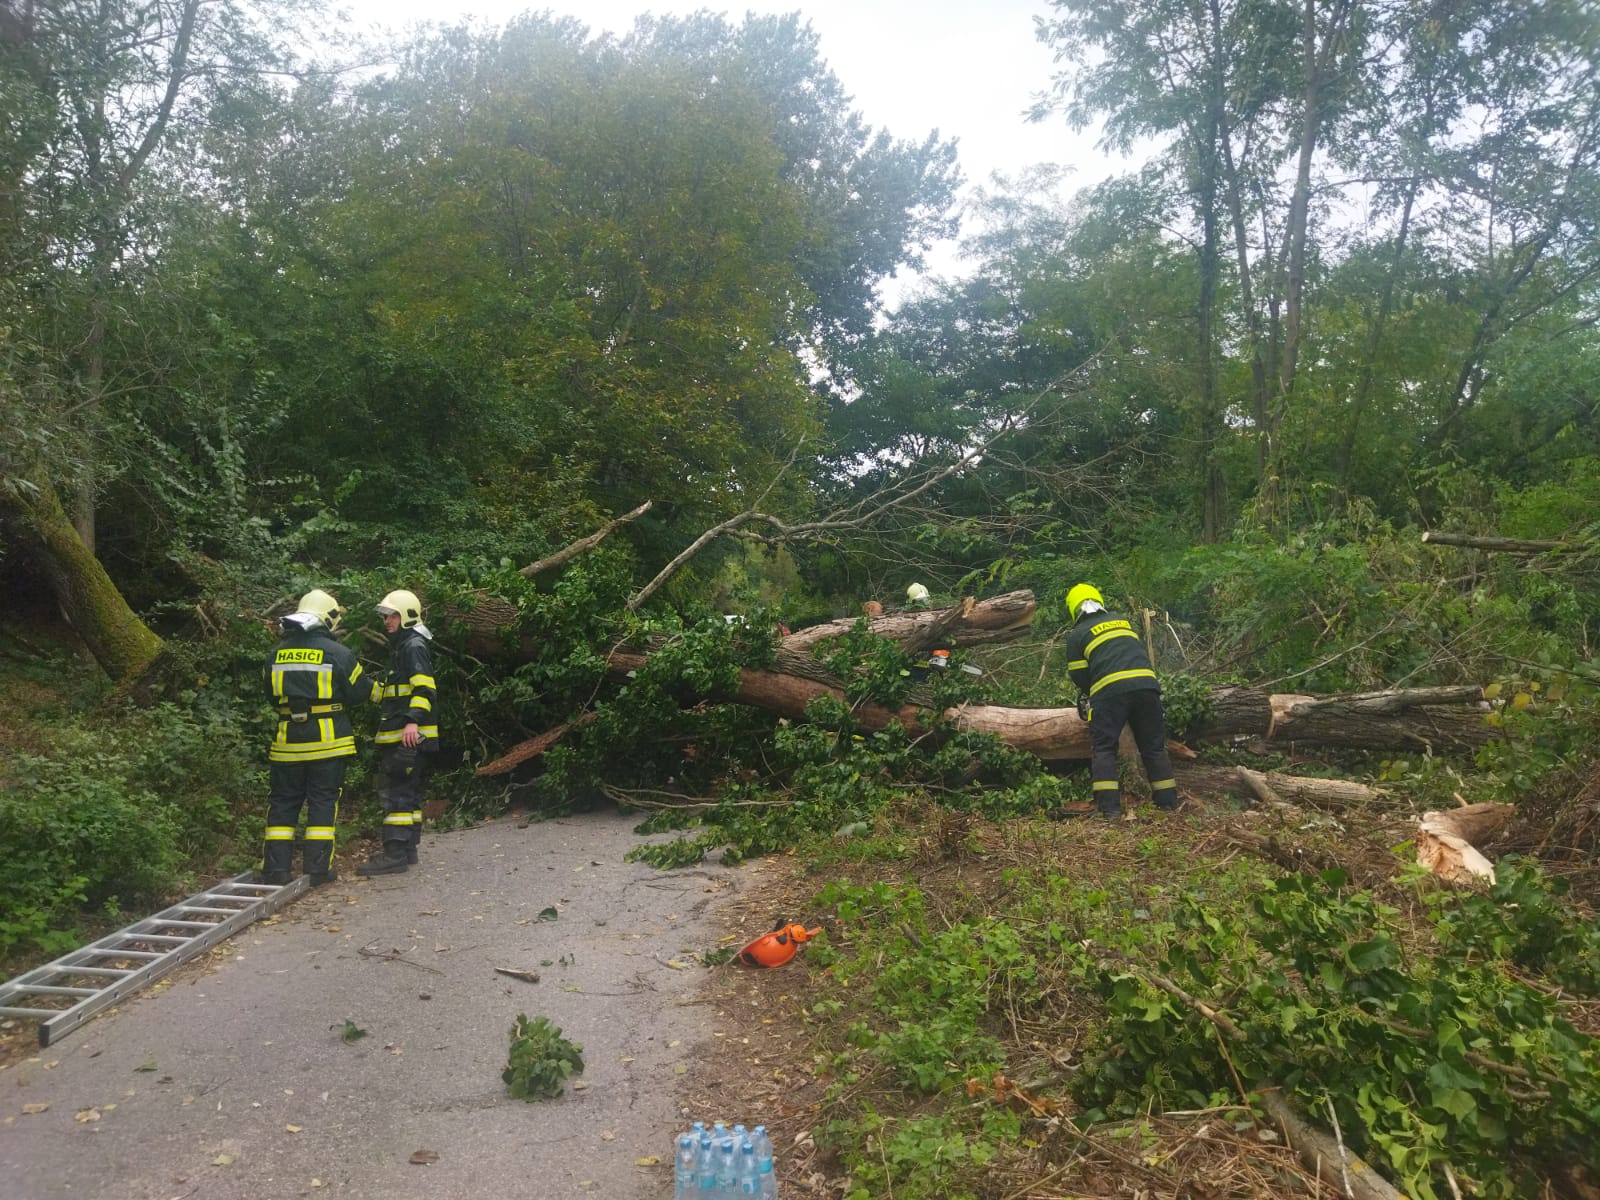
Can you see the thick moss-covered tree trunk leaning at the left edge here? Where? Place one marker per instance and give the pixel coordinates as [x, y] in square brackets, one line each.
[119, 641]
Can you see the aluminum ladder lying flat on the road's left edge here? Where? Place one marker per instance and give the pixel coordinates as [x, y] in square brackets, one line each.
[65, 994]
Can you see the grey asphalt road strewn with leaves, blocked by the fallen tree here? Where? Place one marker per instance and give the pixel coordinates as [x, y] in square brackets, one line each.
[234, 1079]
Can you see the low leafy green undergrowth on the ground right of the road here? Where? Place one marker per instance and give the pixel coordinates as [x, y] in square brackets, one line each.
[1439, 1033]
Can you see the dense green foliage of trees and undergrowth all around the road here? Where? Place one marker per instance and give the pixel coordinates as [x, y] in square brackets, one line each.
[270, 324]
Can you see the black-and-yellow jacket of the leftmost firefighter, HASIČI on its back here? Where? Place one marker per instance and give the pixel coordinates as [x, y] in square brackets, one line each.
[313, 679]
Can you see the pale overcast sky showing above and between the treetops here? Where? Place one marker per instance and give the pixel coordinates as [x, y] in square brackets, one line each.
[964, 68]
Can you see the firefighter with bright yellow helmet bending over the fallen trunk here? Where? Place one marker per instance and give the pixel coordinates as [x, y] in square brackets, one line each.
[1118, 687]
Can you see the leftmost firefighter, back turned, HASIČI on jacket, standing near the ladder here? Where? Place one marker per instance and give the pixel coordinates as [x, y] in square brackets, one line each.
[314, 681]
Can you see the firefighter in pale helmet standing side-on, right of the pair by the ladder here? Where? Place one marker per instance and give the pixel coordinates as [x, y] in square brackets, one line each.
[407, 732]
